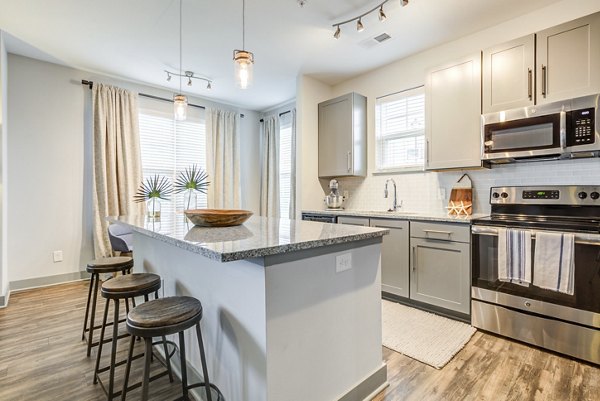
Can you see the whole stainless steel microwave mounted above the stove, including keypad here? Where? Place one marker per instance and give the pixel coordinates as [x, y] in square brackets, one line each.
[560, 130]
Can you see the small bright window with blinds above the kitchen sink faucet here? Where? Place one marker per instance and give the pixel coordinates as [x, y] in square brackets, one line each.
[400, 131]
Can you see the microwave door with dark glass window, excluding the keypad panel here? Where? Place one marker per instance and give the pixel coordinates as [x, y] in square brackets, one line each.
[540, 136]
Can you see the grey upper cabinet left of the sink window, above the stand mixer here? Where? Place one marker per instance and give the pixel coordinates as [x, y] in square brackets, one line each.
[343, 136]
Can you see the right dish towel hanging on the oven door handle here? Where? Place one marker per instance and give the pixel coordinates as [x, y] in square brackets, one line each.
[554, 263]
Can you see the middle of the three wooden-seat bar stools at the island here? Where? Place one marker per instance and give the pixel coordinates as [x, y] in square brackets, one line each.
[124, 288]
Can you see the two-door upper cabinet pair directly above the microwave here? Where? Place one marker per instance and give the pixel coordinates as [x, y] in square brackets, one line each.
[555, 64]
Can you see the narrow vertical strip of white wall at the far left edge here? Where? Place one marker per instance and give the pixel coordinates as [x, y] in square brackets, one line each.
[3, 170]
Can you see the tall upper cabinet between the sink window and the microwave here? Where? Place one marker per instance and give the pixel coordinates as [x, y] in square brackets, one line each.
[453, 115]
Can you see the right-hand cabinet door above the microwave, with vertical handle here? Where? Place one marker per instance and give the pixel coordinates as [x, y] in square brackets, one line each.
[568, 60]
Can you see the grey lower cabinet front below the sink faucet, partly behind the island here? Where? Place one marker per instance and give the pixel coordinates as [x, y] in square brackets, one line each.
[394, 256]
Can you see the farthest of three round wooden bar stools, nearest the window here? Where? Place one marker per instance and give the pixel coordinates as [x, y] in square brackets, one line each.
[122, 264]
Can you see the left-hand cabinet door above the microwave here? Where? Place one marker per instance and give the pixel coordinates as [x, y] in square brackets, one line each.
[508, 75]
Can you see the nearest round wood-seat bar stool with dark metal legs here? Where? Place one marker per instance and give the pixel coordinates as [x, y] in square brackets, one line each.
[162, 317]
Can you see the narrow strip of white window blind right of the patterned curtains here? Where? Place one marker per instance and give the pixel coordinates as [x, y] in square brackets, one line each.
[285, 164]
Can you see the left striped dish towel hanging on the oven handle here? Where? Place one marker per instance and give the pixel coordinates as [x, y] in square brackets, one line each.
[514, 256]
